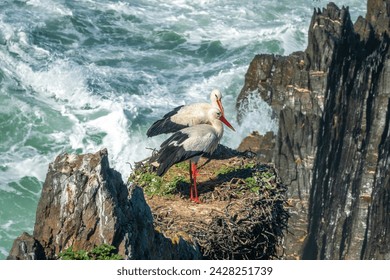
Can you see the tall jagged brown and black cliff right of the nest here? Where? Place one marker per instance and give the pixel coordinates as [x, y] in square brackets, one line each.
[332, 147]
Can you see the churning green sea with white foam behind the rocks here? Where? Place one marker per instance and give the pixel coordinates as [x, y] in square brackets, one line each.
[78, 76]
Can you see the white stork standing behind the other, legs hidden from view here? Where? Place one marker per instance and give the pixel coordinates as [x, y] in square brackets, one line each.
[186, 115]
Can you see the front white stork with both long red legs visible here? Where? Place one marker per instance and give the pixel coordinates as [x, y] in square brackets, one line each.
[190, 144]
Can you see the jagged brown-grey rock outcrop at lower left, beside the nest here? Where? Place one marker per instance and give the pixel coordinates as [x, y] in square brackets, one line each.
[84, 203]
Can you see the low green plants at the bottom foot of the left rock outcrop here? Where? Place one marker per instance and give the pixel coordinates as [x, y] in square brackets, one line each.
[101, 252]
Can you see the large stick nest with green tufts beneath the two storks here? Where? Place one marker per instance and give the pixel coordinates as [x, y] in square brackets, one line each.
[242, 215]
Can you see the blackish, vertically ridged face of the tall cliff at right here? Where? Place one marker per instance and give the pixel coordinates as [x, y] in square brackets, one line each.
[350, 164]
